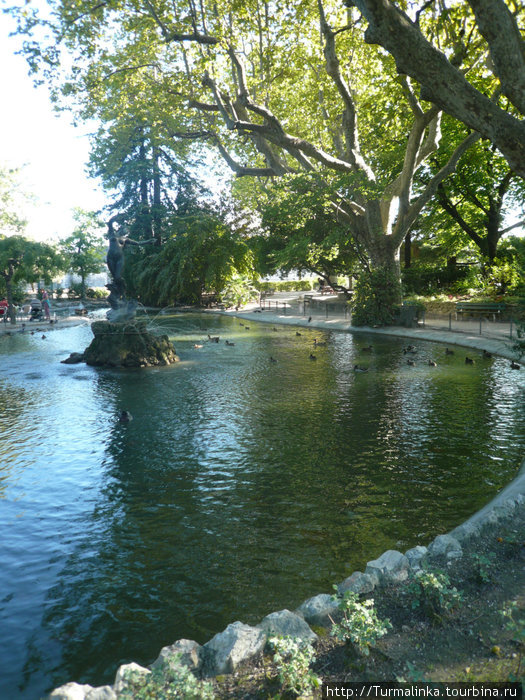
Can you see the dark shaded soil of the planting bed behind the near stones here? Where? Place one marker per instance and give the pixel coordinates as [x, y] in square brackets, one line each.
[470, 641]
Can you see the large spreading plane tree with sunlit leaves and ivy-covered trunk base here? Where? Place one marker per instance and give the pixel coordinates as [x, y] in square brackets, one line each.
[277, 89]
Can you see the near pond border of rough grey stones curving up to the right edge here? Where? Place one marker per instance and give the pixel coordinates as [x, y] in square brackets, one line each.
[239, 643]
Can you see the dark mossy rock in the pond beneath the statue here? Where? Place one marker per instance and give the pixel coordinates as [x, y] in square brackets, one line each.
[128, 345]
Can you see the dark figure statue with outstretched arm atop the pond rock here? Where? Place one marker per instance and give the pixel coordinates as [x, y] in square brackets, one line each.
[122, 309]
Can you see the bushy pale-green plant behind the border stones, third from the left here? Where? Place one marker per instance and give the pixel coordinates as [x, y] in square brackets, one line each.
[360, 624]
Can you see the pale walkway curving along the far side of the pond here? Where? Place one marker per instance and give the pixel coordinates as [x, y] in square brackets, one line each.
[288, 309]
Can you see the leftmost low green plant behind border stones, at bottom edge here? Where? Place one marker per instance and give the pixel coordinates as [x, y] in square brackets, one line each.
[172, 681]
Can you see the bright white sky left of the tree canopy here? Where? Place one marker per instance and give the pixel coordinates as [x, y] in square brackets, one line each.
[50, 151]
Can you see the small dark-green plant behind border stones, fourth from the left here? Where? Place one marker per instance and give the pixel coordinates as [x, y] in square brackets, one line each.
[431, 591]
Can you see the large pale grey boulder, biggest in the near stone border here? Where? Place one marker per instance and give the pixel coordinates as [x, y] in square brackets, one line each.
[228, 649]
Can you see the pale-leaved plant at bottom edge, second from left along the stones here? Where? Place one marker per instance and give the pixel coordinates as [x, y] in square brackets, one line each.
[293, 658]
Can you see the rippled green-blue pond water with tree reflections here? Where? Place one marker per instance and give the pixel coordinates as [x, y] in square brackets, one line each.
[242, 486]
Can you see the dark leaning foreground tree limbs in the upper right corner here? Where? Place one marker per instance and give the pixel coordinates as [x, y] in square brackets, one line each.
[445, 77]
